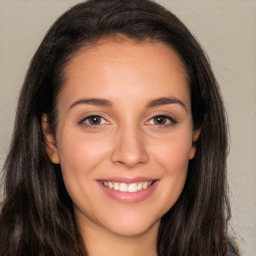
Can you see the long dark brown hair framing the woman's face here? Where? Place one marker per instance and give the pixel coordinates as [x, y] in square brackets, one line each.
[37, 216]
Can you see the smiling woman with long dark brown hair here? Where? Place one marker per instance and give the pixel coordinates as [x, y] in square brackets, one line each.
[120, 140]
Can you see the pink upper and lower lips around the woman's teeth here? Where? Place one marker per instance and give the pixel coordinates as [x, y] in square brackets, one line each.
[128, 197]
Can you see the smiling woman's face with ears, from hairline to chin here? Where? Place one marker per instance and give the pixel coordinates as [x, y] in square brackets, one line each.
[124, 134]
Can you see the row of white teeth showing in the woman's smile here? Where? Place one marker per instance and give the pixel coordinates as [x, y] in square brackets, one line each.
[128, 187]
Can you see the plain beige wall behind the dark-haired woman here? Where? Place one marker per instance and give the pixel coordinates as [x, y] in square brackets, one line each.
[227, 31]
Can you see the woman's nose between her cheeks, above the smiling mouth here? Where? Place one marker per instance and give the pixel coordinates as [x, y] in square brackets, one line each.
[129, 149]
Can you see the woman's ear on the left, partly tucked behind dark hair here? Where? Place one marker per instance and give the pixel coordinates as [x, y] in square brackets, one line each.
[50, 140]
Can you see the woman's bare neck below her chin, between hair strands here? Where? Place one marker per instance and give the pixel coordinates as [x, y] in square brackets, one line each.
[99, 241]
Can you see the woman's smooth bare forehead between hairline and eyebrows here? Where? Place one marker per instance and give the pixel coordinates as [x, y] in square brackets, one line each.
[115, 64]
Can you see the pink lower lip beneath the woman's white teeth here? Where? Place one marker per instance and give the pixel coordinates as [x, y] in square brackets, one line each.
[129, 197]
